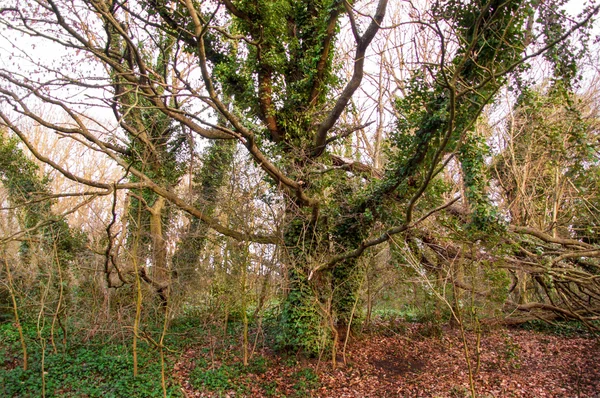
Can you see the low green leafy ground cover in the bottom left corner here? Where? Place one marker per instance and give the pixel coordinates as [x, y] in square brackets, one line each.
[102, 370]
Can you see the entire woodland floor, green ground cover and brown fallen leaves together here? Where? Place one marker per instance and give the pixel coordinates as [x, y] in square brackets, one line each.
[393, 359]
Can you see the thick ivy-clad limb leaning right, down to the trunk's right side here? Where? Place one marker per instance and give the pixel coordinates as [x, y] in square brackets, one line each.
[492, 42]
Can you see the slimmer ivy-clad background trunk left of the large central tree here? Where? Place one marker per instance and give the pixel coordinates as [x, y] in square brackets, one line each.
[154, 142]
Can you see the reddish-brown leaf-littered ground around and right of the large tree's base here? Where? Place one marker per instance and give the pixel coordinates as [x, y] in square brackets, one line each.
[415, 360]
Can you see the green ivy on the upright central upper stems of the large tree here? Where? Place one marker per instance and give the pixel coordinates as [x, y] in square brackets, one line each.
[291, 55]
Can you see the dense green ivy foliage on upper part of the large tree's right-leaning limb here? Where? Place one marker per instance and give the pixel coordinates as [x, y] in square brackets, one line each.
[436, 116]
